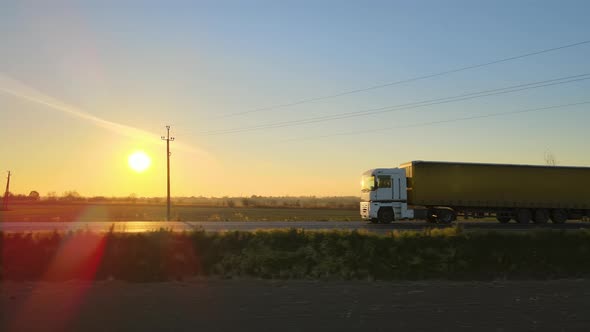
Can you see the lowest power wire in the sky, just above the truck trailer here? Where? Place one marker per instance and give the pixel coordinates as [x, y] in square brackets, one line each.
[423, 124]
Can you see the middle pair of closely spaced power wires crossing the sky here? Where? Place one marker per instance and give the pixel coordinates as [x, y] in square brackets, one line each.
[430, 102]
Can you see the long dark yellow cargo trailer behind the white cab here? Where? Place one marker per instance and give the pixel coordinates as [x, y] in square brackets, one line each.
[497, 185]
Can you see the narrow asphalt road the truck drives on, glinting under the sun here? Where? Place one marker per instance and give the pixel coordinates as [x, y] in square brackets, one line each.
[218, 226]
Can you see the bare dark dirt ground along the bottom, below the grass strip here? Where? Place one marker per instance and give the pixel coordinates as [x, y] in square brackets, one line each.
[261, 305]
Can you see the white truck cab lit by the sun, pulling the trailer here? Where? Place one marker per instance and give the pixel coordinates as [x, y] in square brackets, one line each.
[384, 195]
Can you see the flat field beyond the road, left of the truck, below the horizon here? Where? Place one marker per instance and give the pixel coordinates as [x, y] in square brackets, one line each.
[87, 212]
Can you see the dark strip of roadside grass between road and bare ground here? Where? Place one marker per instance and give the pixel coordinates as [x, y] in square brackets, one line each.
[295, 254]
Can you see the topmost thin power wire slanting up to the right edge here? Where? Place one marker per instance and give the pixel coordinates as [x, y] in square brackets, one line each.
[413, 79]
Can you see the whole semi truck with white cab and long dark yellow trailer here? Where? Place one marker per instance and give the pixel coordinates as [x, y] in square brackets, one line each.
[440, 191]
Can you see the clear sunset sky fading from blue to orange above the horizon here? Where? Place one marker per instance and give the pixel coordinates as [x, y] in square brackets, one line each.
[84, 84]
